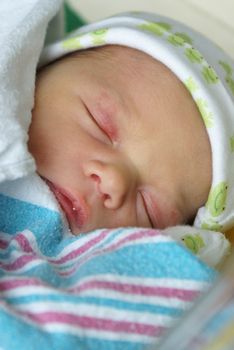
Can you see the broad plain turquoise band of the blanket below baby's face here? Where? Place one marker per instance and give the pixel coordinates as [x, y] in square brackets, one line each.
[153, 260]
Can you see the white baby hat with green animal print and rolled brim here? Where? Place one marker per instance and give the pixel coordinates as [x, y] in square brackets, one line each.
[206, 71]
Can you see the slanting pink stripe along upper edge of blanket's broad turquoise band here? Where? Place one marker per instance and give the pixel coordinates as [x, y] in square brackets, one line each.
[131, 237]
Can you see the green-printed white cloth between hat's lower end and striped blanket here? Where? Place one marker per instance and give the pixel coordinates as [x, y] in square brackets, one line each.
[210, 246]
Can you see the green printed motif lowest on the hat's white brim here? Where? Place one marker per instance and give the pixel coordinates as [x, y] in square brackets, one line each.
[217, 199]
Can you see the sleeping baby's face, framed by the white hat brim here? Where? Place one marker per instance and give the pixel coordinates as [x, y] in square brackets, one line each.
[119, 140]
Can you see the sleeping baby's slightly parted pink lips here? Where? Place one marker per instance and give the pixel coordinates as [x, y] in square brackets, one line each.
[73, 208]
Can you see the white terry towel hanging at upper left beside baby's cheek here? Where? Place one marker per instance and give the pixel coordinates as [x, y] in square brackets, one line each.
[22, 32]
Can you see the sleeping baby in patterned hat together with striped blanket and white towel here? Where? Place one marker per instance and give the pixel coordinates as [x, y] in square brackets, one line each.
[128, 130]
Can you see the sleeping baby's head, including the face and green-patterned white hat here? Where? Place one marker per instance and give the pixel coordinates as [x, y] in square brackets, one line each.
[133, 126]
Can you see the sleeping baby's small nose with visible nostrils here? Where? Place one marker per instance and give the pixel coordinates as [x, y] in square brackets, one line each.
[113, 182]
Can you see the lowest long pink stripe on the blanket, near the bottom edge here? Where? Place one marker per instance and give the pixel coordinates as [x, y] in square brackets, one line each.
[96, 323]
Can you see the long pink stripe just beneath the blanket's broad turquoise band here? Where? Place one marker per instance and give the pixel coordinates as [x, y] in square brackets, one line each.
[126, 288]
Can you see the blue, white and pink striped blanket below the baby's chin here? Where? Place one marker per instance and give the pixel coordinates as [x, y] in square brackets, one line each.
[110, 289]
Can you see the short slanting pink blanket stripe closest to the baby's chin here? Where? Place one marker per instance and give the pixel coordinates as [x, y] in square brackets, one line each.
[73, 254]
